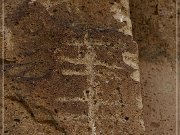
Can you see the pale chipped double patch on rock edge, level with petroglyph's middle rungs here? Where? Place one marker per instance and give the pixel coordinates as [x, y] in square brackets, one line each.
[132, 60]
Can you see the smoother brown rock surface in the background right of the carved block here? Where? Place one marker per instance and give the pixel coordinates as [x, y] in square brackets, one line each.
[154, 29]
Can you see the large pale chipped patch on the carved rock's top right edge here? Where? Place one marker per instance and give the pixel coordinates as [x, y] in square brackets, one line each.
[121, 17]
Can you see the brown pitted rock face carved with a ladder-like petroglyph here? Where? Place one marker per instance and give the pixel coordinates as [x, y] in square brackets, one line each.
[71, 69]
